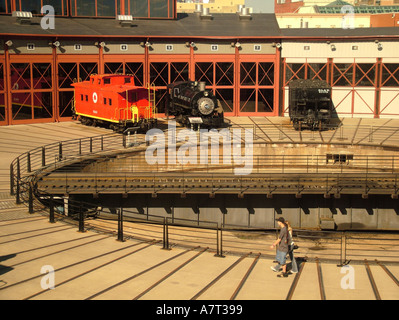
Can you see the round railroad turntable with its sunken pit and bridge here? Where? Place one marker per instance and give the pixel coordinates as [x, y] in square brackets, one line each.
[236, 177]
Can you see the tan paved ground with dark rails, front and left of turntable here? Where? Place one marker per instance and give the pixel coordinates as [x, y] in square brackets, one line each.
[94, 265]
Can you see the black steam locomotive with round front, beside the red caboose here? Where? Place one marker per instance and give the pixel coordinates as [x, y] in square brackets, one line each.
[193, 105]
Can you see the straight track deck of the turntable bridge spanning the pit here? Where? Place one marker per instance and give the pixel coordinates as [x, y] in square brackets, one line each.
[177, 182]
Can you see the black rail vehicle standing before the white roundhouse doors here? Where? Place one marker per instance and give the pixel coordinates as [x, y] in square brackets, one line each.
[310, 104]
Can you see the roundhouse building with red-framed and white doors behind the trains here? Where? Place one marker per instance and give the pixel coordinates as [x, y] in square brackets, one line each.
[247, 60]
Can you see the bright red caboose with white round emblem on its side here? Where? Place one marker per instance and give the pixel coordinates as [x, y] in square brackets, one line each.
[115, 101]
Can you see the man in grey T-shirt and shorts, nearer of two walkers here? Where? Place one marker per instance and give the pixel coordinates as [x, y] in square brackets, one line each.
[282, 244]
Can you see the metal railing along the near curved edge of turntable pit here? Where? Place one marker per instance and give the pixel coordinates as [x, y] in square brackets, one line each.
[338, 247]
